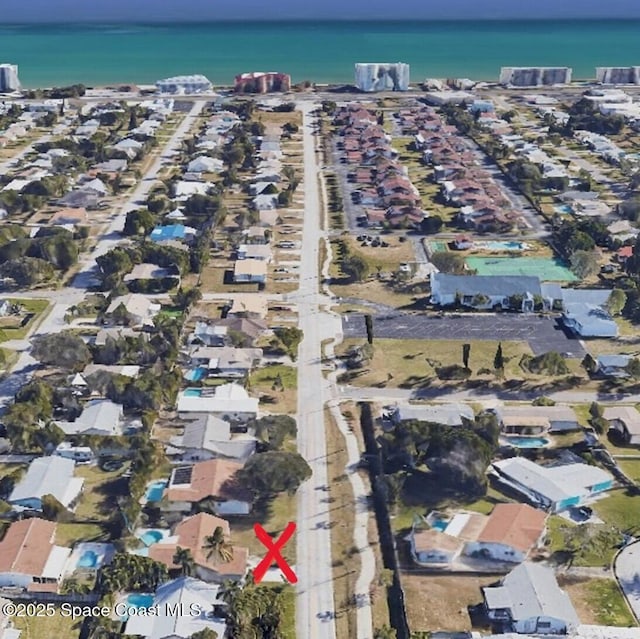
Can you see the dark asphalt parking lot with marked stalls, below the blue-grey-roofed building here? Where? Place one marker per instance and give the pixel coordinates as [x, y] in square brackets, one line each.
[543, 334]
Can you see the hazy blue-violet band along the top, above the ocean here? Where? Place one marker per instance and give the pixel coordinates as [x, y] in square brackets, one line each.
[17, 11]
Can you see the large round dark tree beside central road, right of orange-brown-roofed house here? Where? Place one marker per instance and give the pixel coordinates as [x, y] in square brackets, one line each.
[274, 472]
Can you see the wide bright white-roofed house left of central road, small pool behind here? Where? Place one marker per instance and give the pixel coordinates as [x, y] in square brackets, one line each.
[229, 401]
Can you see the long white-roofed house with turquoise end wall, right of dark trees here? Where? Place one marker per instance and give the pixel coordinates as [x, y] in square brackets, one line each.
[554, 488]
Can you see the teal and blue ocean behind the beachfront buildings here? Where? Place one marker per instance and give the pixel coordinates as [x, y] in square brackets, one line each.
[100, 54]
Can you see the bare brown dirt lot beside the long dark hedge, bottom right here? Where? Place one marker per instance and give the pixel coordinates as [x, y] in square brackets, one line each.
[437, 602]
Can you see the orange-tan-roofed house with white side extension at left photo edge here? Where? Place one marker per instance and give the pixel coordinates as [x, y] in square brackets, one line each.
[29, 557]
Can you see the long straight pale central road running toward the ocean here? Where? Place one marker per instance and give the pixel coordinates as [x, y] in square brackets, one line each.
[315, 586]
